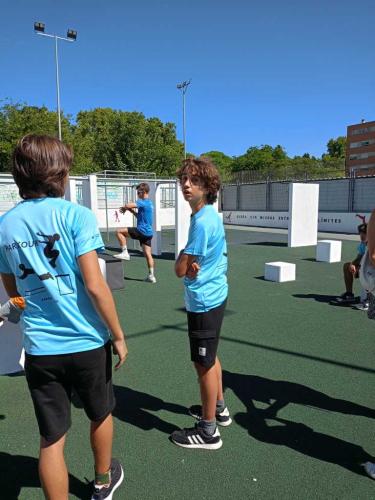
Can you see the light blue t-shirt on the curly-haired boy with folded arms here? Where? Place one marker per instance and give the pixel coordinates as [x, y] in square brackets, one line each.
[207, 241]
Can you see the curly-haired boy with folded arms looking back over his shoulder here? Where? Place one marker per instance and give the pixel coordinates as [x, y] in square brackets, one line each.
[203, 265]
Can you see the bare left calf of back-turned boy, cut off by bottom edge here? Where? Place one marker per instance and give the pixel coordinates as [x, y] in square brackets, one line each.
[52, 470]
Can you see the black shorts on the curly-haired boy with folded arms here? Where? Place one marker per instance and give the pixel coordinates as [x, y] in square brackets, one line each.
[204, 331]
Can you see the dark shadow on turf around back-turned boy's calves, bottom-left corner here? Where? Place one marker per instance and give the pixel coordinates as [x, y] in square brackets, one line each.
[20, 471]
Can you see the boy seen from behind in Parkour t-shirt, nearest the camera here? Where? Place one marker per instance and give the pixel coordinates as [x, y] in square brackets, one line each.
[48, 255]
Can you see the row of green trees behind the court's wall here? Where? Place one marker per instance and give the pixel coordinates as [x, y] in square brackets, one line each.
[105, 138]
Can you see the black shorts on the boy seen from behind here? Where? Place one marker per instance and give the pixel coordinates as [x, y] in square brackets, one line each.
[51, 380]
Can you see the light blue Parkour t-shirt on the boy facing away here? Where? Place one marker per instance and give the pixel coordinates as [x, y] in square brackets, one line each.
[40, 240]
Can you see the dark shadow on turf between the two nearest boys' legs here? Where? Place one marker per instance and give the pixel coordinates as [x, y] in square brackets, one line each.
[137, 408]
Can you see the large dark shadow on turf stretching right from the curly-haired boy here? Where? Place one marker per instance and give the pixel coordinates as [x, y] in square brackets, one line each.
[260, 423]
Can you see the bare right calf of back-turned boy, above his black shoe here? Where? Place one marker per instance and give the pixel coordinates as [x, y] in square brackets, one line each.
[101, 436]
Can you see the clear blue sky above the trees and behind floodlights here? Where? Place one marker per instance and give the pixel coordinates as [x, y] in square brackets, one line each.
[289, 72]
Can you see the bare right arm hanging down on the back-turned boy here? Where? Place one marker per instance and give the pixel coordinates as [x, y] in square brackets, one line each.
[102, 299]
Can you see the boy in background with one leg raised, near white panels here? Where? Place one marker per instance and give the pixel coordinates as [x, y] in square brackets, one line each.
[143, 232]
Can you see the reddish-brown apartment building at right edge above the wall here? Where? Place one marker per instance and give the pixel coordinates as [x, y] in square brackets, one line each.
[360, 149]
